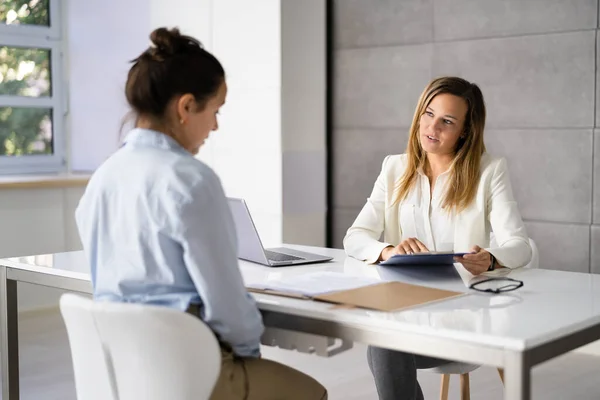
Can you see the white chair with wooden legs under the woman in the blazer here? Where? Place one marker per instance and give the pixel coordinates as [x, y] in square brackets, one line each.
[463, 369]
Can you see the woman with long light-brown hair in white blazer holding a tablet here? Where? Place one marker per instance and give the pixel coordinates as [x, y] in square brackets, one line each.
[444, 194]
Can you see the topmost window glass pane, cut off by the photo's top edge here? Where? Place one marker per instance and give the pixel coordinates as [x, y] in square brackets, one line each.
[25, 12]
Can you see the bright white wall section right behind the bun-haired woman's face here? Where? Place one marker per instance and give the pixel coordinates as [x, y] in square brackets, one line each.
[246, 150]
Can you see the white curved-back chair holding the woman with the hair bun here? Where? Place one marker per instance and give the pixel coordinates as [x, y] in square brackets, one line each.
[132, 351]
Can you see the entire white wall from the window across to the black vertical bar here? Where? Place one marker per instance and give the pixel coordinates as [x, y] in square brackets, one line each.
[270, 148]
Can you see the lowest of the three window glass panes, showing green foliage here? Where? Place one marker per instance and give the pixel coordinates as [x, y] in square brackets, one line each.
[25, 131]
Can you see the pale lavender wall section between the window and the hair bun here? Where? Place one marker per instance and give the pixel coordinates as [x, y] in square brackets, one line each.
[101, 37]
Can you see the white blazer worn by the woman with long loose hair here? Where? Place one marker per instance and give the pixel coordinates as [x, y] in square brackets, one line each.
[493, 209]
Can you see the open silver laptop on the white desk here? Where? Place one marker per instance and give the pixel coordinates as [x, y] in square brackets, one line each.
[250, 247]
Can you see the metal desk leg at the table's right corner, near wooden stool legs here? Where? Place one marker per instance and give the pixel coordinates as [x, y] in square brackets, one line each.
[517, 377]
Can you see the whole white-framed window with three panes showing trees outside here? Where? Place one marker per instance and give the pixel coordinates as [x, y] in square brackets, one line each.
[31, 87]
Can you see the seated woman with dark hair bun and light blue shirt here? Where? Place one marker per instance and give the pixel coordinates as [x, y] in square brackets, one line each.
[156, 226]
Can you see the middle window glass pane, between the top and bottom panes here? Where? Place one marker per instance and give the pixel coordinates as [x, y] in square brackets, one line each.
[24, 72]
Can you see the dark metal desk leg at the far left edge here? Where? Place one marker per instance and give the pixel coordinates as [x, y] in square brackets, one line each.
[9, 339]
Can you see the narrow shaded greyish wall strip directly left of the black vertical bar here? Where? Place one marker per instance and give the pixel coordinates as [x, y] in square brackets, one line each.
[303, 128]
